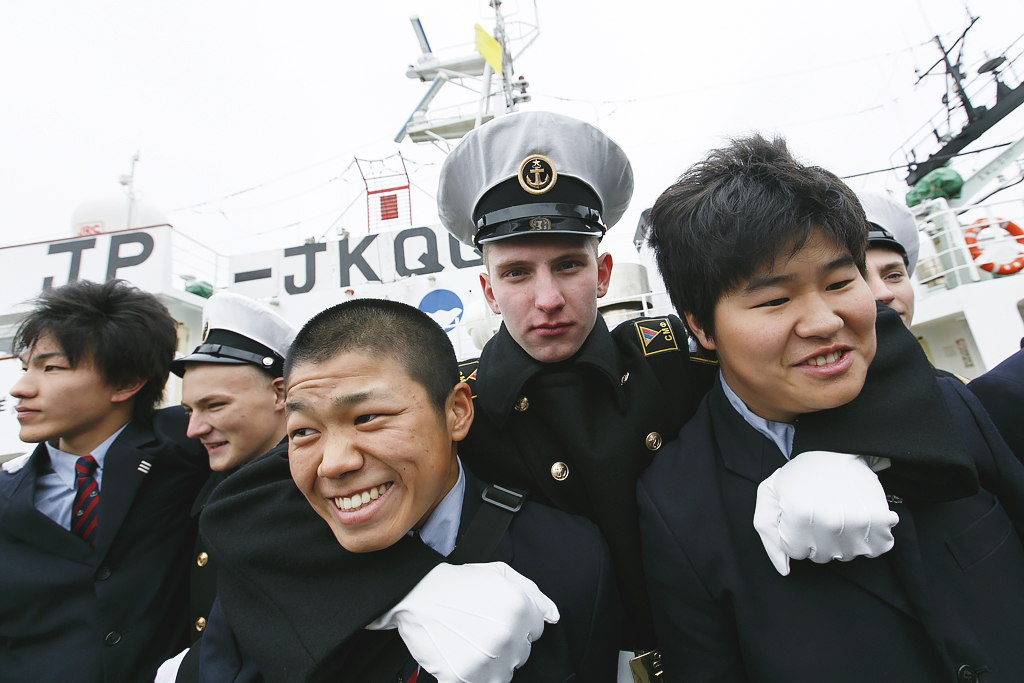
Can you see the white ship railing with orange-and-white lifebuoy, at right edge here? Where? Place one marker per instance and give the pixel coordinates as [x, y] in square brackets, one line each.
[947, 260]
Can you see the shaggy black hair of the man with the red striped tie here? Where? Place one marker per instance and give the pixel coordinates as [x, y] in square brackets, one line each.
[127, 335]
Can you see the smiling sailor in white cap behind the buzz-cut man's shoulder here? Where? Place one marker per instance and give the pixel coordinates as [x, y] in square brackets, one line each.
[234, 392]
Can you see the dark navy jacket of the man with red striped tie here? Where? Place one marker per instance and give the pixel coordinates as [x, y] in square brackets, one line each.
[115, 613]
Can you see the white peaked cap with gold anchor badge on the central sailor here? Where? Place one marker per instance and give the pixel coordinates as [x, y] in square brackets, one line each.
[533, 172]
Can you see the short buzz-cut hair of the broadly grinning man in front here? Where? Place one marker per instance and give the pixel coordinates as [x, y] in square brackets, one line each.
[381, 328]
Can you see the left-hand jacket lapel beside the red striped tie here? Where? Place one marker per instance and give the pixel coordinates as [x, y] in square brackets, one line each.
[21, 520]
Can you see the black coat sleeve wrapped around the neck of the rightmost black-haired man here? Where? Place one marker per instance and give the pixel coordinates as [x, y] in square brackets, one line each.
[901, 415]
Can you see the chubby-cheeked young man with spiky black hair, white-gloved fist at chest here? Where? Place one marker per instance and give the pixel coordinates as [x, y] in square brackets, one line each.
[765, 259]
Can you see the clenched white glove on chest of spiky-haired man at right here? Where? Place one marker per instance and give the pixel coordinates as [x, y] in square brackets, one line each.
[825, 506]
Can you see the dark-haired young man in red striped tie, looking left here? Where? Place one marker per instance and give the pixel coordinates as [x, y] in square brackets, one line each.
[95, 526]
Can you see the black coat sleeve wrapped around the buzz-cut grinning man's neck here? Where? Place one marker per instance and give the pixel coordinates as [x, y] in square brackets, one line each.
[273, 548]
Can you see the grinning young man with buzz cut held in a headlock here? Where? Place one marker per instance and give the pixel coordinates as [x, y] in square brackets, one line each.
[376, 410]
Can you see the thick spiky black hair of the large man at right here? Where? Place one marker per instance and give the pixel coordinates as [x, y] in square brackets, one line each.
[738, 211]
